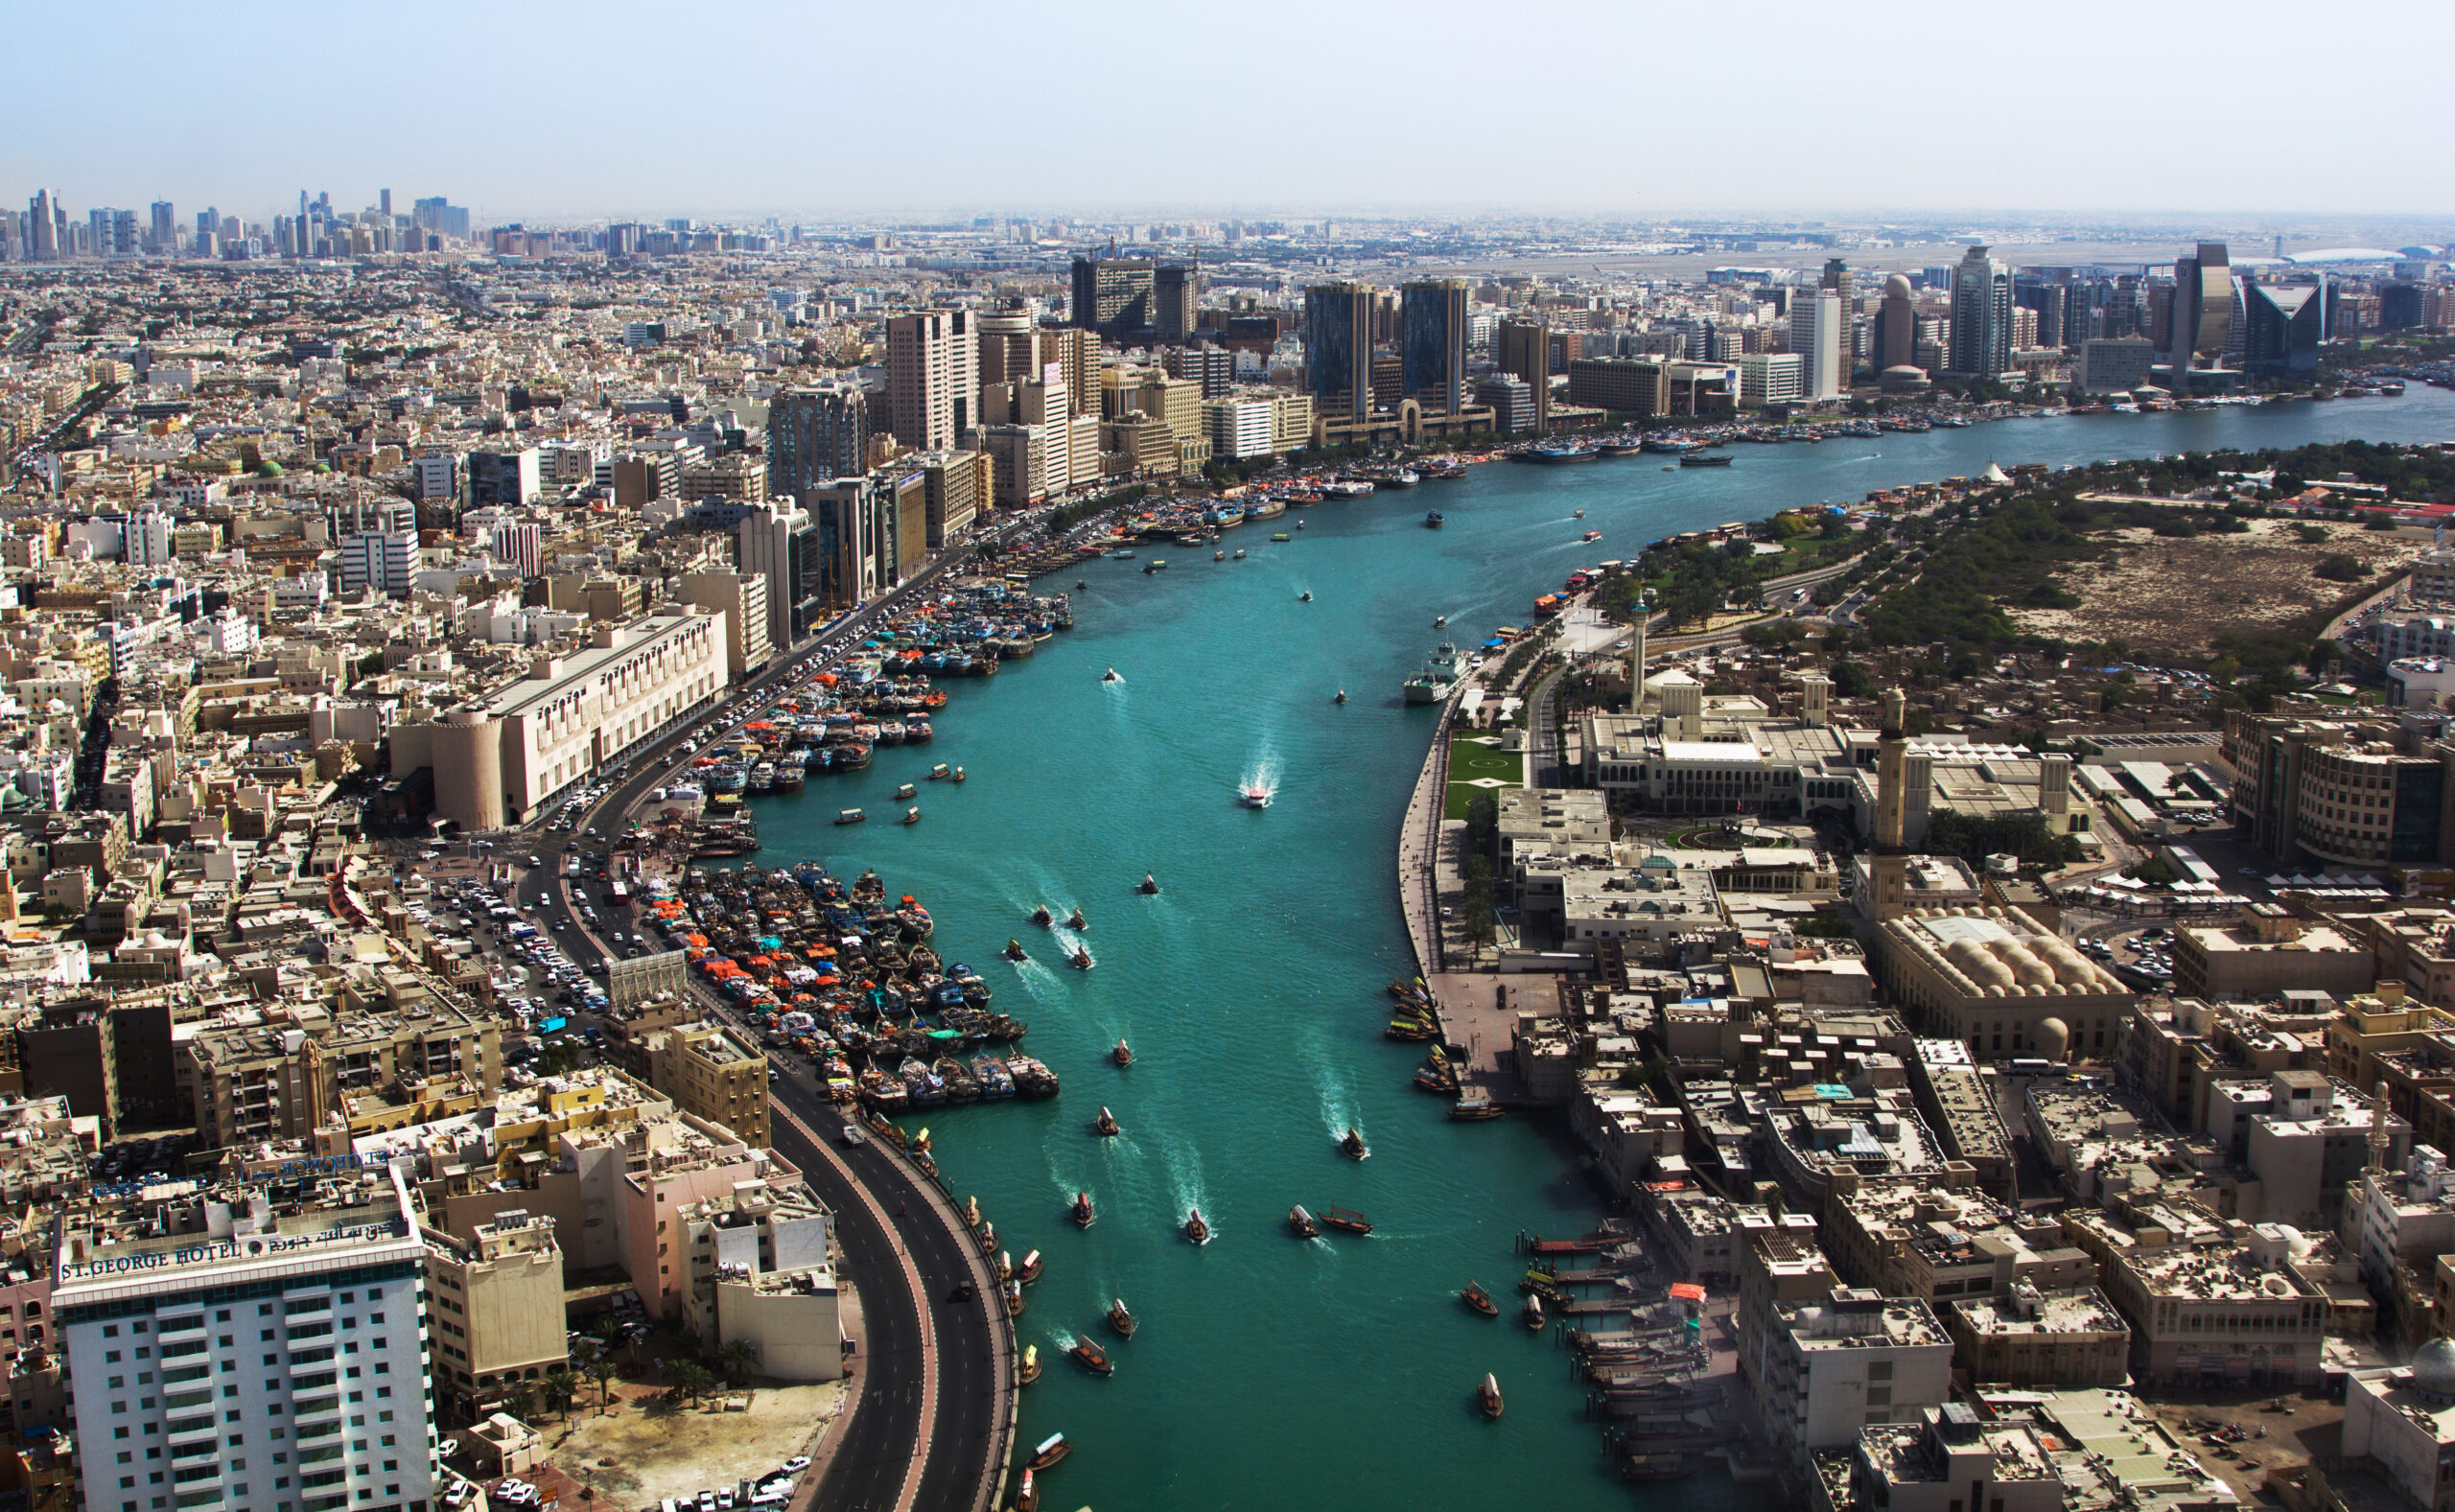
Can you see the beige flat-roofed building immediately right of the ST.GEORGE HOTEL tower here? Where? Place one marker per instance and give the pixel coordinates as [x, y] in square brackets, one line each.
[495, 1307]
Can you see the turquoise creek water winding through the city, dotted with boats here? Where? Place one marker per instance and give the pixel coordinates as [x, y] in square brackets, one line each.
[1275, 1373]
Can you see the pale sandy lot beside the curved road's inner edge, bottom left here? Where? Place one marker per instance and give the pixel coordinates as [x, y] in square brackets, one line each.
[644, 1449]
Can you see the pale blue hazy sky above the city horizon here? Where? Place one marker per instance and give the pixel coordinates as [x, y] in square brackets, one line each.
[922, 107]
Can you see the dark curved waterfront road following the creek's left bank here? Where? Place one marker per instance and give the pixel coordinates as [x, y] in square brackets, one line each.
[924, 1427]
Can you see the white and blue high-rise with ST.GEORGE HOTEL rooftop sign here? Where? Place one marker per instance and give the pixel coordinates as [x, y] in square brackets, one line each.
[249, 1351]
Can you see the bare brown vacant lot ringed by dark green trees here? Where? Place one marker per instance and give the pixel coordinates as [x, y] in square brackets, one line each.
[2171, 598]
